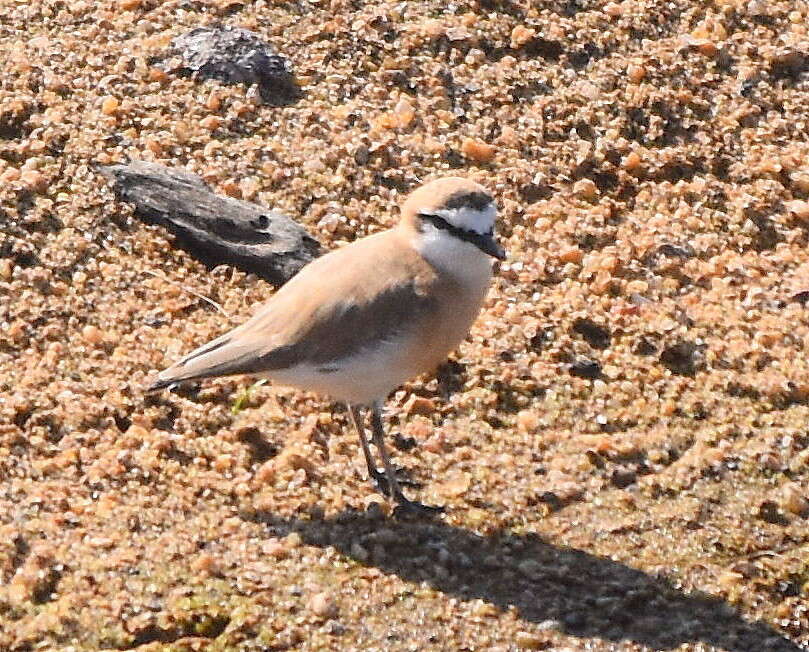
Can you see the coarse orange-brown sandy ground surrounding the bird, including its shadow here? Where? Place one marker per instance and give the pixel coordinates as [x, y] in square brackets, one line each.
[621, 443]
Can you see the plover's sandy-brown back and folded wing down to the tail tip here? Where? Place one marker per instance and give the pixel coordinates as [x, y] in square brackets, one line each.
[336, 306]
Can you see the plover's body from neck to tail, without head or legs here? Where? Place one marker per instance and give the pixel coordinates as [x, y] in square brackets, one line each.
[353, 324]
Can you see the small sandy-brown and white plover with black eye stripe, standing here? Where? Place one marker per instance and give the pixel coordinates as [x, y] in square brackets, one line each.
[363, 319]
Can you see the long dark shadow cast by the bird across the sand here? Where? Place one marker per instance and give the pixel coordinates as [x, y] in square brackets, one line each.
[588, 596]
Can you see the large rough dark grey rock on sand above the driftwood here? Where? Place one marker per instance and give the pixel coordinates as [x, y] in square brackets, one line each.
[234, 56]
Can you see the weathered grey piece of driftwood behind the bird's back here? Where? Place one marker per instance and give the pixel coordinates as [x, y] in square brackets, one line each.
[213, 228]
